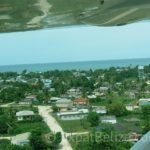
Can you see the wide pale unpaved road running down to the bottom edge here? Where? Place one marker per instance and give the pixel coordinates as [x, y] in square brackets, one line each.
[54, 126]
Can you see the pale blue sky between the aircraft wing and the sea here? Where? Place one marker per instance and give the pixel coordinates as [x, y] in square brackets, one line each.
[75, 44]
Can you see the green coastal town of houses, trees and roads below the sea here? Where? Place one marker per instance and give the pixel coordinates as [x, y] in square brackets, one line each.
[61, 109]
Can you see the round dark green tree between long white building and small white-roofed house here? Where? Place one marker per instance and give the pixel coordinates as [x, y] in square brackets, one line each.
[93, 119]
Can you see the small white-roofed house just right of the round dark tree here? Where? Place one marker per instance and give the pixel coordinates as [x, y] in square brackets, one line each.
[108, 119]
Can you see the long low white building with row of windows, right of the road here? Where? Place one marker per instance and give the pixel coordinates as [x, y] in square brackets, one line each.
[73, 115]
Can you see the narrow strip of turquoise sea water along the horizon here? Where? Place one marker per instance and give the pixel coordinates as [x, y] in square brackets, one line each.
[76, 65]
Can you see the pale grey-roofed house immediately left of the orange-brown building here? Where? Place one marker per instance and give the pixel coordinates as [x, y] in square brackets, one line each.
[64, 104]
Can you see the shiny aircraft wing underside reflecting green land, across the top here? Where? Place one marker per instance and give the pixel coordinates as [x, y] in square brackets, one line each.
[23, 15]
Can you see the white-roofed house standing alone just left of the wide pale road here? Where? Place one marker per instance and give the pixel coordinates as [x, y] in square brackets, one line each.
[24, 115]
